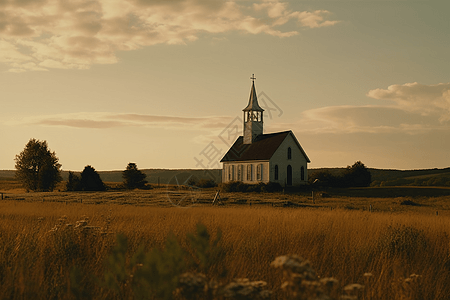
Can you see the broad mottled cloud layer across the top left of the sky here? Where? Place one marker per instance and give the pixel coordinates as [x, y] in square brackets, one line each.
[78, 33]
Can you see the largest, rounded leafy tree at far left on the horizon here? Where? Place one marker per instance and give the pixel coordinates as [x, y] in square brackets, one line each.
[37, 168]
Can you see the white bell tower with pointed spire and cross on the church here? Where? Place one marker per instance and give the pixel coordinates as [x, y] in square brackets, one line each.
[253, 116]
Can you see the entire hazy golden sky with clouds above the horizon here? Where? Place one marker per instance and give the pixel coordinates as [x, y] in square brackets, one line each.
[163, 83]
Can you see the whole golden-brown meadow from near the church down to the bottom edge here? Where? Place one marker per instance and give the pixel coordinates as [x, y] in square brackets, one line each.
[64, 245]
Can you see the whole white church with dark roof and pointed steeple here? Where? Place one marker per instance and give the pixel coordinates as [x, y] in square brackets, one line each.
[257, 157]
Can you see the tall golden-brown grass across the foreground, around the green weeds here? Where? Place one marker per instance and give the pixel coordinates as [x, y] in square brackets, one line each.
[43, 258]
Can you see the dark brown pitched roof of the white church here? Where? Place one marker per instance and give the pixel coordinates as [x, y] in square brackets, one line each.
[262, 148]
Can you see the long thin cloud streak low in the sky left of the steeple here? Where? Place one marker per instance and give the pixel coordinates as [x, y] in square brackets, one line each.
[111, 120]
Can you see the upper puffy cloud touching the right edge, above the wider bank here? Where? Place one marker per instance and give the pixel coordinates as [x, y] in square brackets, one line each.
[424, 99]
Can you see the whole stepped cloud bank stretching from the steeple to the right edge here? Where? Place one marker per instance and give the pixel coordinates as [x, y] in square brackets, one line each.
[413, 109]
